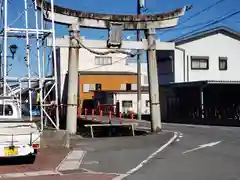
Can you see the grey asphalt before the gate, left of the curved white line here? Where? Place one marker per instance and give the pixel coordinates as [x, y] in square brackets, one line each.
[119, 154]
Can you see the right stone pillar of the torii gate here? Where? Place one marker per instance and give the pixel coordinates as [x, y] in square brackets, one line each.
[153, 81]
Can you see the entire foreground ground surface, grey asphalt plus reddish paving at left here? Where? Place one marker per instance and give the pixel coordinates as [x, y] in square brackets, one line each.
[199, 153]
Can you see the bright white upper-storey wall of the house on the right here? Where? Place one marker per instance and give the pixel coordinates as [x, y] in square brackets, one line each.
[215, 46]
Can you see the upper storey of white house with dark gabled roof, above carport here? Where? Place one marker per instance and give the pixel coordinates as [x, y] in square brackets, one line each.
[208, 55]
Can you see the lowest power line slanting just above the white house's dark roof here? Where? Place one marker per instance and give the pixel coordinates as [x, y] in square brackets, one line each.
[209, 24]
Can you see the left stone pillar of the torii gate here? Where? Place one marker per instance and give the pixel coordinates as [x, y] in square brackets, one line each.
[73, 63]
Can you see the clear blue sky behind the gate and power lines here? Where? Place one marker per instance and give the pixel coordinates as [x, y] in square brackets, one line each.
[16, 19]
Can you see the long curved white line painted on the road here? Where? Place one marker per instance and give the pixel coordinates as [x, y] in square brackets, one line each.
[133, 170]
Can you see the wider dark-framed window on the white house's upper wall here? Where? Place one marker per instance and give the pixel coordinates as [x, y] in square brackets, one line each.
[199, 62]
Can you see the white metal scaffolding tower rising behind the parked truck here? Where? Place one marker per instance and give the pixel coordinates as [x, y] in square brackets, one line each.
[34, 54]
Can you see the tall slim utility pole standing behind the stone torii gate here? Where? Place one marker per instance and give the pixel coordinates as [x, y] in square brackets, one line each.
[139, 94]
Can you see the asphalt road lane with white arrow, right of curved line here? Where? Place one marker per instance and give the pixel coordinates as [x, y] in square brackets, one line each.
[221, 161]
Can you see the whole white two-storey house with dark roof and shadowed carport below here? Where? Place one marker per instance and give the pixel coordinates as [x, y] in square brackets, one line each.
[201, 77]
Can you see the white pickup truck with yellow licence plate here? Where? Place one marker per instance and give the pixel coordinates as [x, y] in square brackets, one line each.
[18, 137]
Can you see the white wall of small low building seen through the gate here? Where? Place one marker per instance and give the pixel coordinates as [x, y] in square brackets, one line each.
[133, 97]
